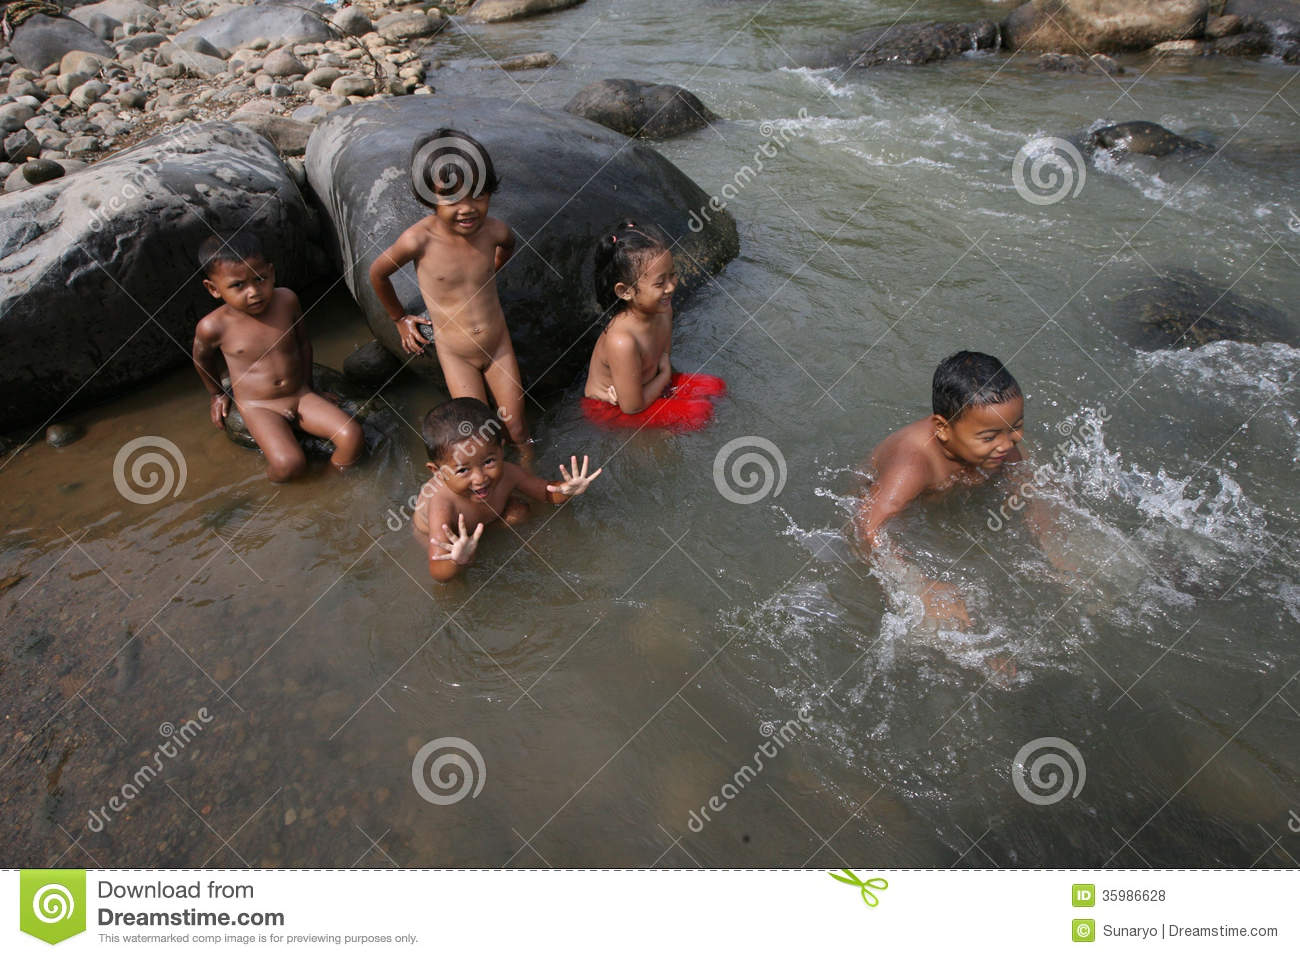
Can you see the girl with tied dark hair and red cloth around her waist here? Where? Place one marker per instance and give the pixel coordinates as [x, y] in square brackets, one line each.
[631, 382]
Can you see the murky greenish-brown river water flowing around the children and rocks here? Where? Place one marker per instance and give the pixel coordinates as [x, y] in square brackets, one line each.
[623, 666]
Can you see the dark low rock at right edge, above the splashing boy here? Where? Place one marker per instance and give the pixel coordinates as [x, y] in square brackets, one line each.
[1184, 310]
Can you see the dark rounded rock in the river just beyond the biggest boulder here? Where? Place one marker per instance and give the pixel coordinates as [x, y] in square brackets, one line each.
[635, 109]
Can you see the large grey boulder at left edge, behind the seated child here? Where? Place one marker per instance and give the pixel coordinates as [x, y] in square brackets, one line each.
[98, 287]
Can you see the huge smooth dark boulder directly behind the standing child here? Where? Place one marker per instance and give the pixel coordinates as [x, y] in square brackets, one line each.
[565, 184]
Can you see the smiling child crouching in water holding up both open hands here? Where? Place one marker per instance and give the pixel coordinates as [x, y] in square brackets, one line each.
[473, 484]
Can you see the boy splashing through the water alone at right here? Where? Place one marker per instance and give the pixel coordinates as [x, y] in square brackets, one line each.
[976, 430]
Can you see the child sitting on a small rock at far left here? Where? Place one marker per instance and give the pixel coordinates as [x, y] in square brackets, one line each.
[258, 335]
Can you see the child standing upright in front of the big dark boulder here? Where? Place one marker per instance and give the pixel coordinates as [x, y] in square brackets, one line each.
[458, 252]
